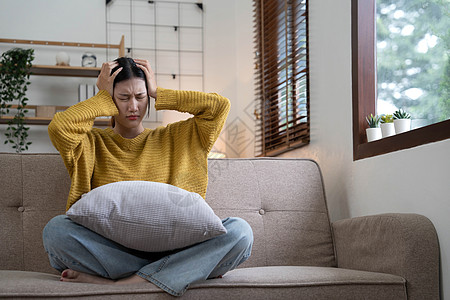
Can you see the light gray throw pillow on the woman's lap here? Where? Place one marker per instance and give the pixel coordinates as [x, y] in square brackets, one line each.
[147, 216]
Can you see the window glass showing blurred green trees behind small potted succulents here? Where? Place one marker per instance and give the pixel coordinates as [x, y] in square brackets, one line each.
[412, 63]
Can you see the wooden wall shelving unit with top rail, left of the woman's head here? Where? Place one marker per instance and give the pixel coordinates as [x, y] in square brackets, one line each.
[65, 71]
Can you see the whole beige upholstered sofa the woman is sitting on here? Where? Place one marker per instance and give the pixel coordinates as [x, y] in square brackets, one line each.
[298, 253]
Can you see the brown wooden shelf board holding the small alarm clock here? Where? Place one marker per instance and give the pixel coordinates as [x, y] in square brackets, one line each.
[64, 71]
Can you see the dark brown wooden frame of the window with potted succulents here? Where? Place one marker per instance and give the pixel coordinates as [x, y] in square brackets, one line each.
[364, 91]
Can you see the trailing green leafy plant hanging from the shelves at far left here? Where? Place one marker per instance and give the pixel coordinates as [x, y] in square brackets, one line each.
[15, 67]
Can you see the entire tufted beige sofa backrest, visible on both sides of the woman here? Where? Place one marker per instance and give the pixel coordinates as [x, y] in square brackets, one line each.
[282, 199]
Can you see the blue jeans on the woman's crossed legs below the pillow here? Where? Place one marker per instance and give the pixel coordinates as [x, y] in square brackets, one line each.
[72, 246]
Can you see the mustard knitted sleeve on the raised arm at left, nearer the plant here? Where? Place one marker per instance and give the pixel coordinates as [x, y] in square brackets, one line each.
[69, 128]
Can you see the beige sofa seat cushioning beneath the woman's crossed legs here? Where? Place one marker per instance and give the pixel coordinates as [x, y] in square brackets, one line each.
[286, 282]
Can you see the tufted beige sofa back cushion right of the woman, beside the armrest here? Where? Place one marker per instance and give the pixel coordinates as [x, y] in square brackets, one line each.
[284, 202]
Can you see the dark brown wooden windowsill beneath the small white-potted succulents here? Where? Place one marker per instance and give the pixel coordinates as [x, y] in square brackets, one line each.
[416, 137]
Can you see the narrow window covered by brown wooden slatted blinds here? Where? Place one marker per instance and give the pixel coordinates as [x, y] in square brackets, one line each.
[282, 76]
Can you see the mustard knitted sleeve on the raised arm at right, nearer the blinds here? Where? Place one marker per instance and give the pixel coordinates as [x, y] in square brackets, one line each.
[210, 111]
